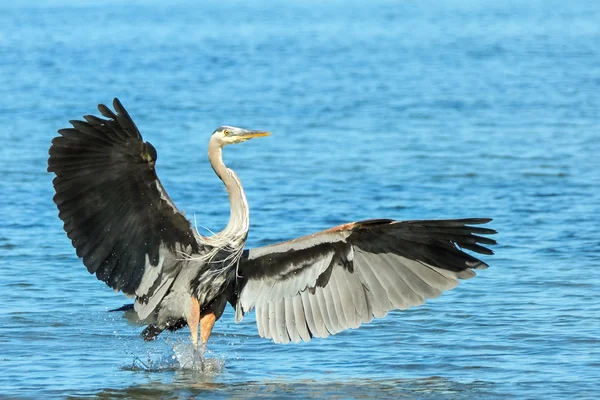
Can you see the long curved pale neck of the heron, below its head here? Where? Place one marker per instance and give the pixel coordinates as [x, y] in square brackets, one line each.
[239, 219]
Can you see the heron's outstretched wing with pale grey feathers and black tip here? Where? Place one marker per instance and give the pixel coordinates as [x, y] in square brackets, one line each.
[324, 283]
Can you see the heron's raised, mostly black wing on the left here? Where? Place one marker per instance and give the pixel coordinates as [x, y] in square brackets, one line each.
[114, 208]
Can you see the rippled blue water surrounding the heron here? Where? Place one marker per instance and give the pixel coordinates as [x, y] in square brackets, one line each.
[387, 109]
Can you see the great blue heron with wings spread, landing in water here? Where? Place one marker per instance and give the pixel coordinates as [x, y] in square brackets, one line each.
[129, 233]
